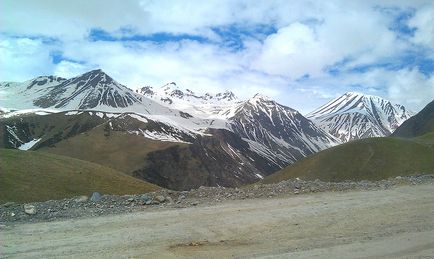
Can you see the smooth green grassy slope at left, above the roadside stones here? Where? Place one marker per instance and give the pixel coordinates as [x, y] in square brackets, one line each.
[36, 176]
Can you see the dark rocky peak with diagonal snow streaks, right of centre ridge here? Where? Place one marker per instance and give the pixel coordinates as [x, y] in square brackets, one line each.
[278, 132]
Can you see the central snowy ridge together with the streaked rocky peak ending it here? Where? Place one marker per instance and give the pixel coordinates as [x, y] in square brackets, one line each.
[280, 134]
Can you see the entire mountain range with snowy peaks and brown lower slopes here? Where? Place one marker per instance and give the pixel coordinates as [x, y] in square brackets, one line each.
[176, 138]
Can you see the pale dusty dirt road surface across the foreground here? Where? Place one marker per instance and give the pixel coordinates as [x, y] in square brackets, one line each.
[385, 223]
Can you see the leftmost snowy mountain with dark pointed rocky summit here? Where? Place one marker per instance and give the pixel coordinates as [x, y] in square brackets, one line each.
[92, 90]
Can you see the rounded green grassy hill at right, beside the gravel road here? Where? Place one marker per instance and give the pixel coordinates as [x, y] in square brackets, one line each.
[367, 159]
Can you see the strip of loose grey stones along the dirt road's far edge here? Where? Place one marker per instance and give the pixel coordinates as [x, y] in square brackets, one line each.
[98, 204]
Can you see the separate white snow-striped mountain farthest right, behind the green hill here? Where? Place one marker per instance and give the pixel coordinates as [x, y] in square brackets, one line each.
[355, 116]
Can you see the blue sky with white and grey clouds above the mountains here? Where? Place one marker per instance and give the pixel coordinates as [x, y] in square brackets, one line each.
[300, 53]
